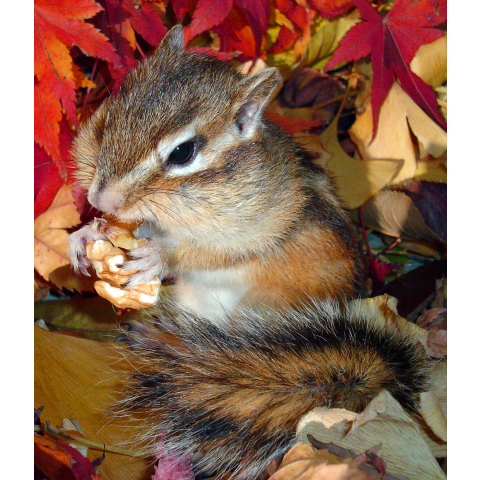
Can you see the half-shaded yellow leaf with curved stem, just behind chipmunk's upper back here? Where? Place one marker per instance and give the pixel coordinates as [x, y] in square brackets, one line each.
[356, 180]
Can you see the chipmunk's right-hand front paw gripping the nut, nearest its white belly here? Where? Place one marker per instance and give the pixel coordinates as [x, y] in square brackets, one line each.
[149, 262]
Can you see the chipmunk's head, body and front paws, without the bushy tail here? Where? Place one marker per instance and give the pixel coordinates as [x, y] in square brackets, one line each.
[233, 207]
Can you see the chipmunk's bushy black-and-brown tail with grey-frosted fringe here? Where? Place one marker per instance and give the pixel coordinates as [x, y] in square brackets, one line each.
[233, 400]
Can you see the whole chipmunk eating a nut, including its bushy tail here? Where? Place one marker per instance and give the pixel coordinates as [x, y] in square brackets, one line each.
[241, 216]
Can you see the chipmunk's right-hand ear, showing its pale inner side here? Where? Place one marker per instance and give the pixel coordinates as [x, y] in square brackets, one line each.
[255, 92]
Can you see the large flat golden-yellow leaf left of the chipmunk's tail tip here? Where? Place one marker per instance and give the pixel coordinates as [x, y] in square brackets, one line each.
[71, 383]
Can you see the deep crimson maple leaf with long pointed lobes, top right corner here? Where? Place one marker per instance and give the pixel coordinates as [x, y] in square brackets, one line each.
[393, 41]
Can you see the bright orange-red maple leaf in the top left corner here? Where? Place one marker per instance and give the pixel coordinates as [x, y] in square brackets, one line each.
[58, 25]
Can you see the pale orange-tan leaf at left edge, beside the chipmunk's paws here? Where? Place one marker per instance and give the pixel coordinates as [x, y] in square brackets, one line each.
[50, 236]
